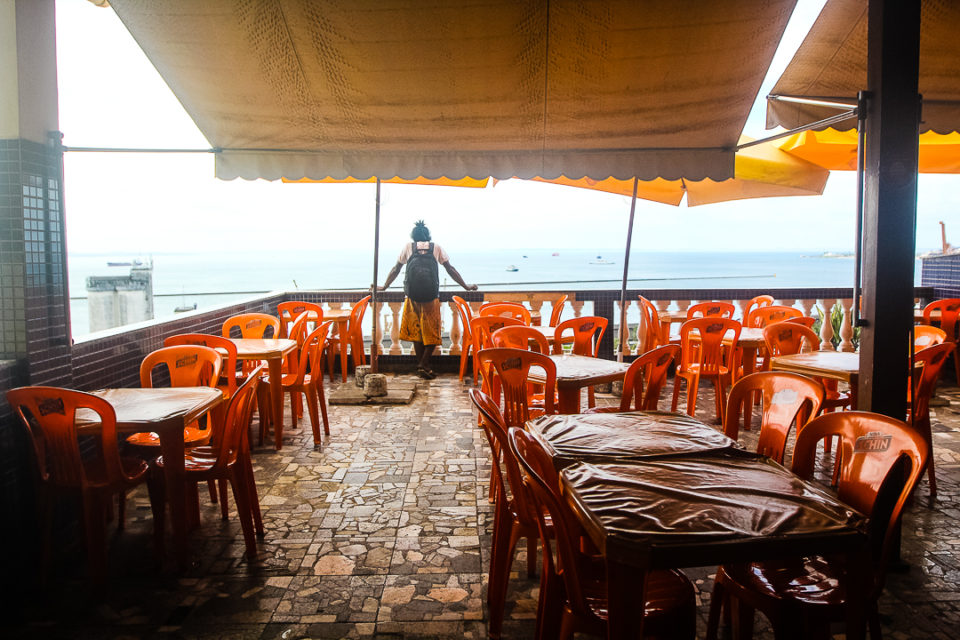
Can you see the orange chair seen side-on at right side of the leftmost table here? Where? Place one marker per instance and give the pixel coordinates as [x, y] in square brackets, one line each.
[230, 460]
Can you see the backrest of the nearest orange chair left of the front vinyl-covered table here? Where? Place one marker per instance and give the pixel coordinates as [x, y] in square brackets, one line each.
[543, 483]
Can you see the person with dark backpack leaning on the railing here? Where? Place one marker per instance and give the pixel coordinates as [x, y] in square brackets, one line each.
[420, 323]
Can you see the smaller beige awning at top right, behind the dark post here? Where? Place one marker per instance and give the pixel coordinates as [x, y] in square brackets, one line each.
[832, 64]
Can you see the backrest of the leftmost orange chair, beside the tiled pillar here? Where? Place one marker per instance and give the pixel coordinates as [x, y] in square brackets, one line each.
[48, 414]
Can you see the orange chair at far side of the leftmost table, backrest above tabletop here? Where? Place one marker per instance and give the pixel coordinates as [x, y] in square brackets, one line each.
[187, 366]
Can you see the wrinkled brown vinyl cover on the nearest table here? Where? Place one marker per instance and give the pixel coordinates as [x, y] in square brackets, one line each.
[702, 499]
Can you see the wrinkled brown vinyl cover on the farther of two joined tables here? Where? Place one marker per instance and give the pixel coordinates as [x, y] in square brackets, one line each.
[619, 437]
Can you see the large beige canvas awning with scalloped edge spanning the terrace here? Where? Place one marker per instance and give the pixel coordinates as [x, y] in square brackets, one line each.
[300, 88]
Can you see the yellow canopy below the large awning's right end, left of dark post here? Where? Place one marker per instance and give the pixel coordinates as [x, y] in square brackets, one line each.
[761, 171]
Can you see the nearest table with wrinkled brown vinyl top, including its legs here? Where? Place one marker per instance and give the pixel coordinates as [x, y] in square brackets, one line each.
[703, 510]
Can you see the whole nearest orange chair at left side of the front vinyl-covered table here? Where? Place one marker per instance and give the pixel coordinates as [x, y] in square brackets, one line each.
[573, 587]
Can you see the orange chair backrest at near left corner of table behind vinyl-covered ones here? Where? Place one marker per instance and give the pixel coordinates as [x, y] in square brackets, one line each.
[512, 368]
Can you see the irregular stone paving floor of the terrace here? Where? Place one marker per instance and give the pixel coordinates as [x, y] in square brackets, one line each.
[384, 532]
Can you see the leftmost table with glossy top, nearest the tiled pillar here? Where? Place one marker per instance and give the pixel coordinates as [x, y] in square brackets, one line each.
[166, 412]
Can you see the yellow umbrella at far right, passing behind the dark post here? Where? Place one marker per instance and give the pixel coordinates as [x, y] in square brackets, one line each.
[837, 150]
